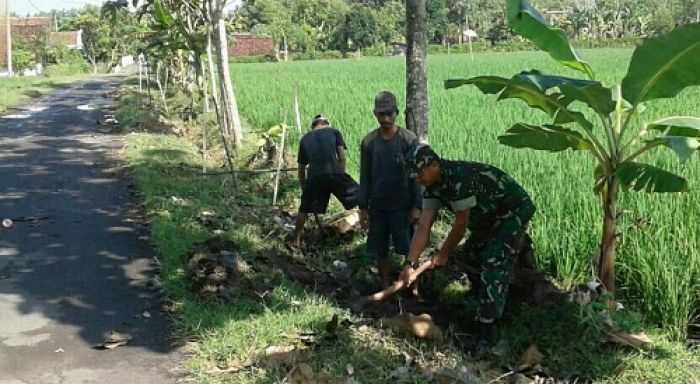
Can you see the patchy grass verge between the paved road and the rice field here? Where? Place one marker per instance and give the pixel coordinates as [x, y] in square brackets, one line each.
[234, 334]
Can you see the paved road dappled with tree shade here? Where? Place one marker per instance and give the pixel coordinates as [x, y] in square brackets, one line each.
[75, 265]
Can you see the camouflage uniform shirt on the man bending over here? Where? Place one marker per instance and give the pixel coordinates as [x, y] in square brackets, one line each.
[485, 190]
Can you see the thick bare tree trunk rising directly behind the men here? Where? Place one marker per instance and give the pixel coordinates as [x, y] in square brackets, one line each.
[416, 79]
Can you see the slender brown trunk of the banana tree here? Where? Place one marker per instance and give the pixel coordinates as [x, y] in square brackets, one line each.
[606, 272]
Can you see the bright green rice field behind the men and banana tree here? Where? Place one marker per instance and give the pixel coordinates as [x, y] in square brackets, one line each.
[659, 253]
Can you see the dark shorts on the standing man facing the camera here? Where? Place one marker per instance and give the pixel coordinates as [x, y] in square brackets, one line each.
[385, 226]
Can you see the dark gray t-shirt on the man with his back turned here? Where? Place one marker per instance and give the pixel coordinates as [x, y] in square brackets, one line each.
[318, 150]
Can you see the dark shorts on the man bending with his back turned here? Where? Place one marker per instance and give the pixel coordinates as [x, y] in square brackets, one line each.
[318, 189]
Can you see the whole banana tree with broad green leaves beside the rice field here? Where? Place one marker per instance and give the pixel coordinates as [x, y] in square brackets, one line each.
[660, 68]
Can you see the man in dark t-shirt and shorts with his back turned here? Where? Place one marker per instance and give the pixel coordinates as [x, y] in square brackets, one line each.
[321, 160]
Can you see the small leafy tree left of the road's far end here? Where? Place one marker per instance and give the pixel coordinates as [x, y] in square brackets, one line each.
[96, 43]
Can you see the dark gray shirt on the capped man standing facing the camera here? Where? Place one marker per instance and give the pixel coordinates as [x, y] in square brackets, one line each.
[384, 181]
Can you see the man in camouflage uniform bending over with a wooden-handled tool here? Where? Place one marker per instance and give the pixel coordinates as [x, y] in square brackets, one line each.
[488, 202]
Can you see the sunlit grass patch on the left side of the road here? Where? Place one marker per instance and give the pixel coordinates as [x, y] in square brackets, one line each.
[15, 90]
